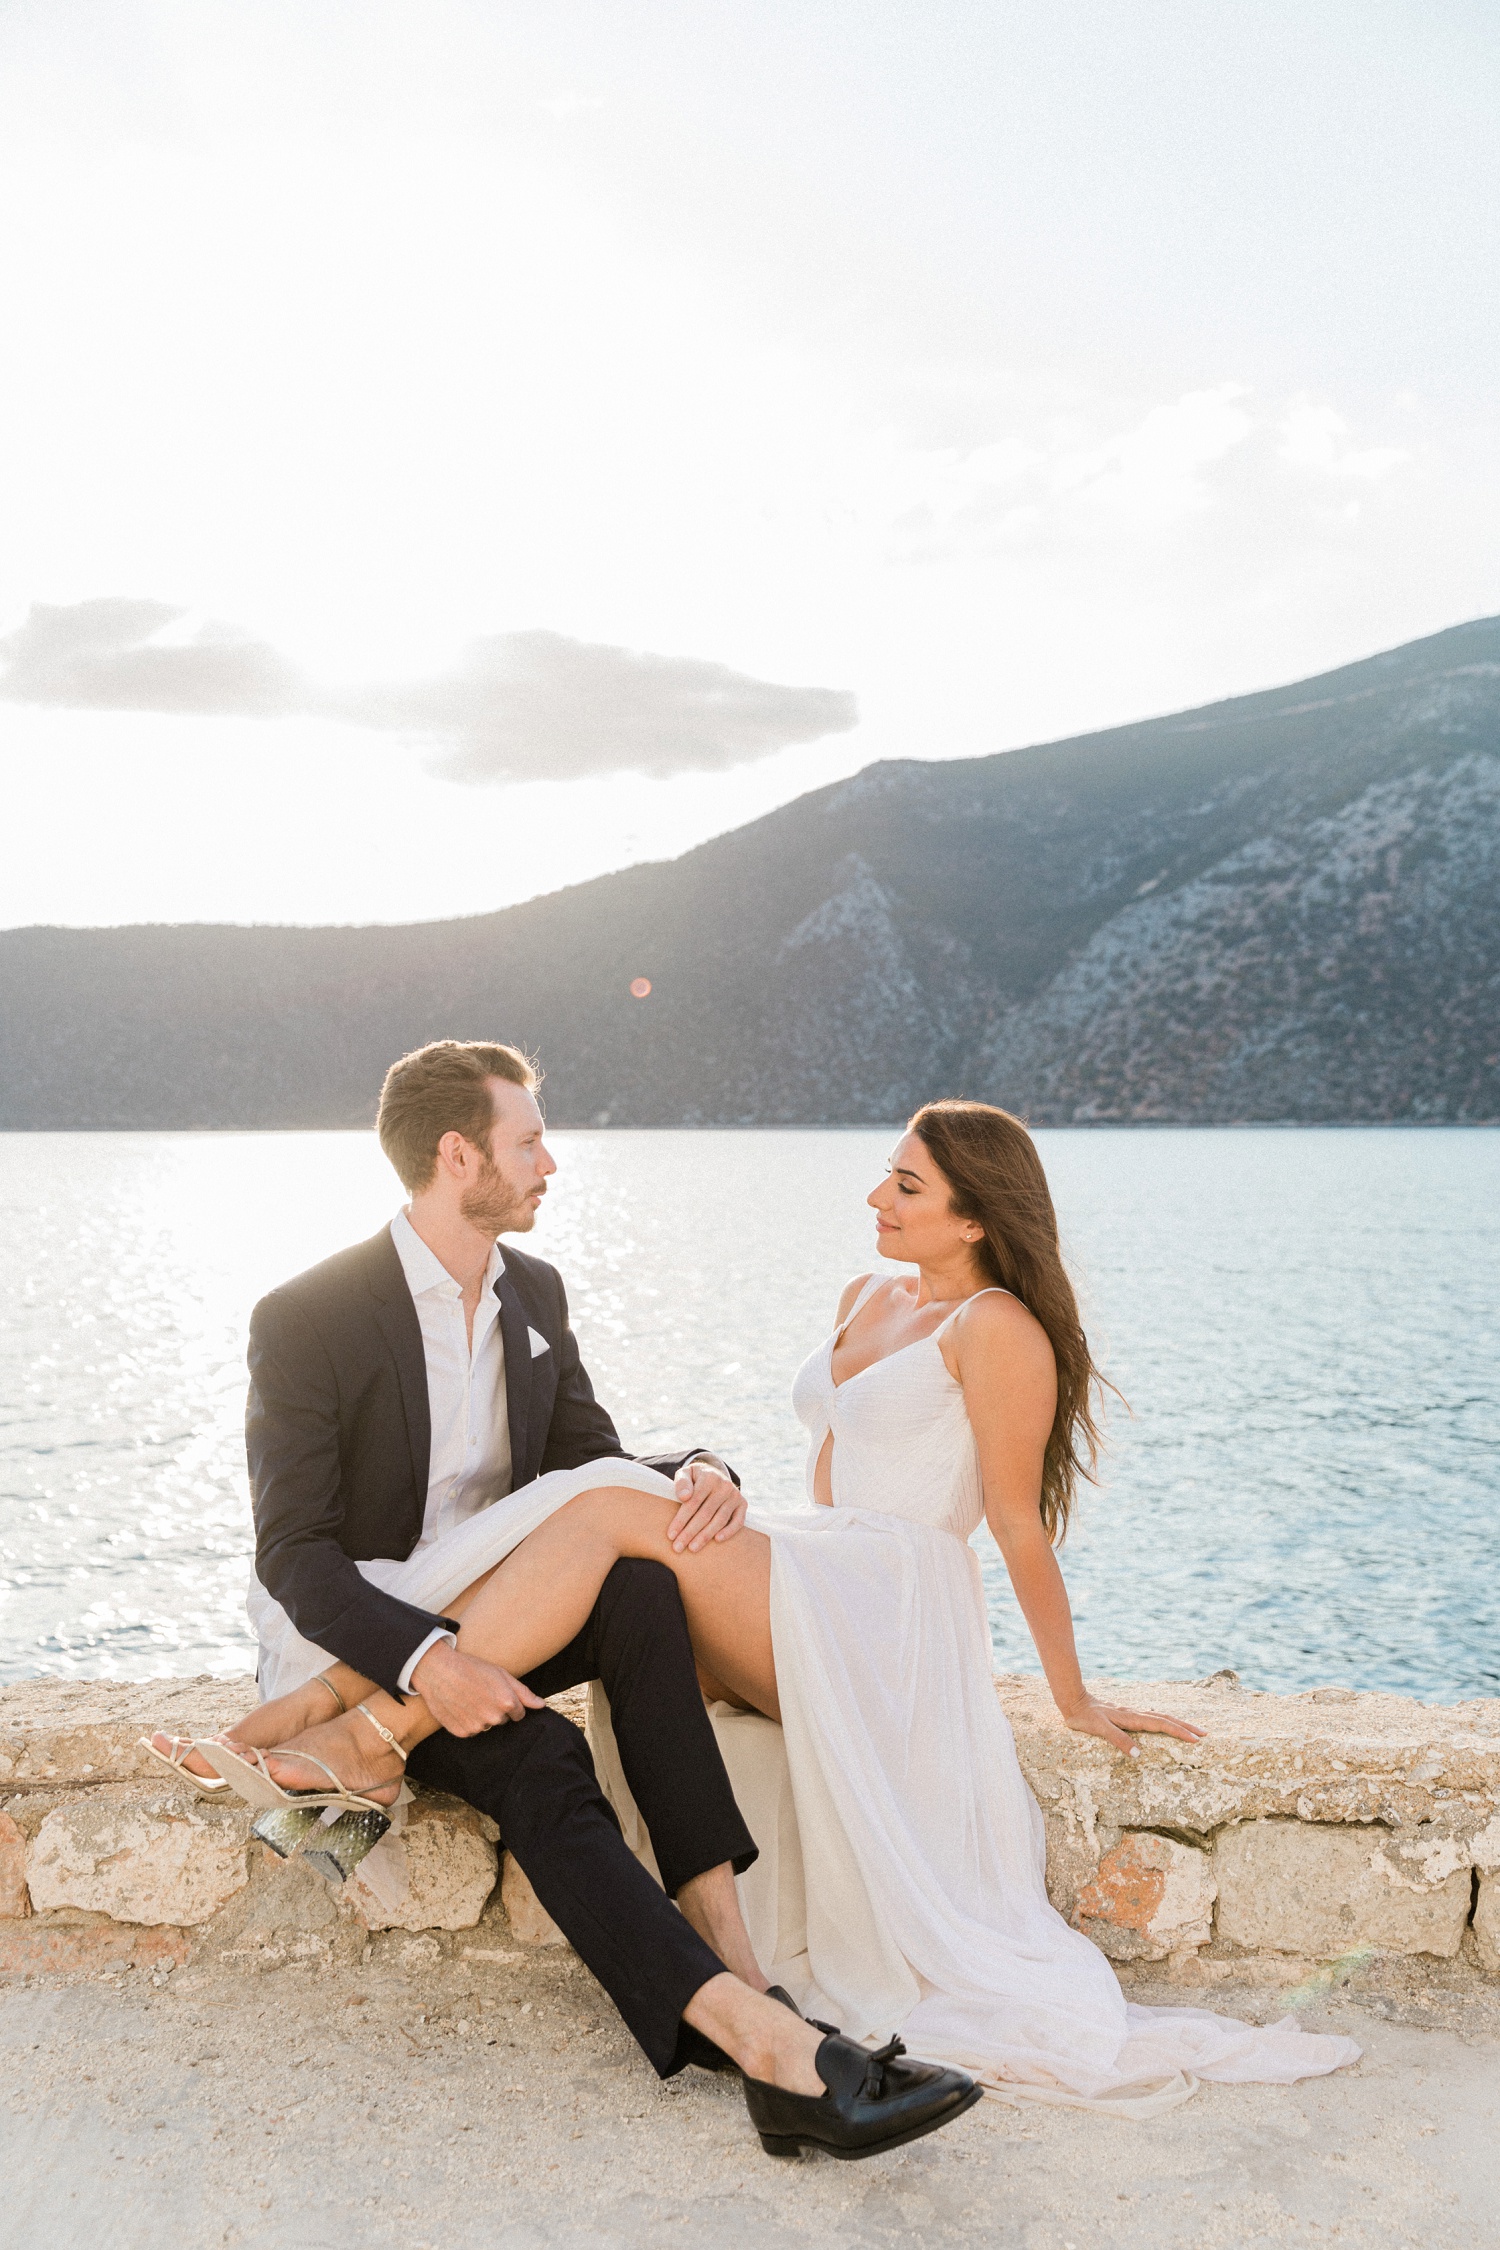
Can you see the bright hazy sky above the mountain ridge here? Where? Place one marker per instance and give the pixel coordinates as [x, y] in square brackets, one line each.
[453, 449]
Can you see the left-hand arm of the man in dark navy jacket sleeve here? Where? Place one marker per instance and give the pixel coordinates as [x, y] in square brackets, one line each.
[293, 1448]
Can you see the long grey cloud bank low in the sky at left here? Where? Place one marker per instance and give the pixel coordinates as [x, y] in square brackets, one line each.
[514, 708]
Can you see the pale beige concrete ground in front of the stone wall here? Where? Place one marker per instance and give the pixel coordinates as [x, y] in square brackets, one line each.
[496, 2105]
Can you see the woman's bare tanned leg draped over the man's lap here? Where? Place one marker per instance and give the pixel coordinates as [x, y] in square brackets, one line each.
[541, 1596]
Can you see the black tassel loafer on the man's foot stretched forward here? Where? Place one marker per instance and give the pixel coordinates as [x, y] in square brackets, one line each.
[874, 2103]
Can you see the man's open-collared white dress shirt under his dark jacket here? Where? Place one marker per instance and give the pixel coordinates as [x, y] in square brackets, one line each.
[467, 1396]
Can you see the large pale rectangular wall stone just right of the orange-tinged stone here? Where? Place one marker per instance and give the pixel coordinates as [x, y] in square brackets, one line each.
[1290, 1887]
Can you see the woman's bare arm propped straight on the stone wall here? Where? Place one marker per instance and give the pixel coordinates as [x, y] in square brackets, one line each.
[1004, 1362]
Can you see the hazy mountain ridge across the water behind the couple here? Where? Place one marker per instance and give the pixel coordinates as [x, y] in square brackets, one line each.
[1281, 906]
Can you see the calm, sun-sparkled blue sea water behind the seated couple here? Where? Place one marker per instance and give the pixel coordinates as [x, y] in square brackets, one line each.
[1305, 1326]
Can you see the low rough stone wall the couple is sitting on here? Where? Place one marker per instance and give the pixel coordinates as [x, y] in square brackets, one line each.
[1308, 1830]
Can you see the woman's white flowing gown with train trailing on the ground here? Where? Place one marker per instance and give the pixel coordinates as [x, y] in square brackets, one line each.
[903, 1864]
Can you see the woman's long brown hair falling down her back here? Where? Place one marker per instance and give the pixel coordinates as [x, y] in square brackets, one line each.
[995, 1173]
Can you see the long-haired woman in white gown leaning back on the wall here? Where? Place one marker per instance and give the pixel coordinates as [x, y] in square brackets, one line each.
[903, 1853]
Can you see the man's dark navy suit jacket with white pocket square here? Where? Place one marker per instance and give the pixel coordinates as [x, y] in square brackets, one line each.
[338, 1437]
